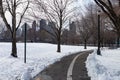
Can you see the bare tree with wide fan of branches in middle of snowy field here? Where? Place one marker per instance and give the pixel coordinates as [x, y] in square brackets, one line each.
[57, 11]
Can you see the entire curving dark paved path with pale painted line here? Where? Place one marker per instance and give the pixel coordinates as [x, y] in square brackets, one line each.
[68, 68]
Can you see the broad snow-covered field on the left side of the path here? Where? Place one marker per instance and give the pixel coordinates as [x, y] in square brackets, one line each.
[39, 55]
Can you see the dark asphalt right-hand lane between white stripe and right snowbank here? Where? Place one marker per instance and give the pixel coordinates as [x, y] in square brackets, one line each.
[79, 70]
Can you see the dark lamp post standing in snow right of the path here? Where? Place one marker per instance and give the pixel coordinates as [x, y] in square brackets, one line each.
[98, 50]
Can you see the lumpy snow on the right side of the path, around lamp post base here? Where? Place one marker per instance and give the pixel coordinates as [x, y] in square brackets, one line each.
[105, 67]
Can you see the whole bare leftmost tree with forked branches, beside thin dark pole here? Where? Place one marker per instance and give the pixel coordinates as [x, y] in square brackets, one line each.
[12, 7]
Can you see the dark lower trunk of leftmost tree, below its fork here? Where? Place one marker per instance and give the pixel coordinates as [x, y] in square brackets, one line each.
[14, 48]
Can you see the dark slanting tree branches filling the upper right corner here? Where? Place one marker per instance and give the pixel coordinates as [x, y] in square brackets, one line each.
[113, 12]
